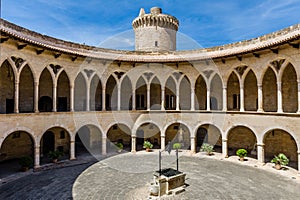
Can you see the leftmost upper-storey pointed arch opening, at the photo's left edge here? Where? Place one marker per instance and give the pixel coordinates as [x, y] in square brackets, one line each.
[7, 88]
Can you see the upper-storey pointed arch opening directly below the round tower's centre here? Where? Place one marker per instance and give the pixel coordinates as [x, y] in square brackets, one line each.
[155, 94]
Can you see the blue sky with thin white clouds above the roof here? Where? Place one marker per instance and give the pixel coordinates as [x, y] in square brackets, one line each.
[204, 23]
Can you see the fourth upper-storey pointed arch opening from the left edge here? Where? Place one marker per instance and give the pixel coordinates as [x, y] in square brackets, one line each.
[63, 92]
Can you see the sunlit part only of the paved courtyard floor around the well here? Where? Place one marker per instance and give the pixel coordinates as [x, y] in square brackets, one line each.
[128, 176]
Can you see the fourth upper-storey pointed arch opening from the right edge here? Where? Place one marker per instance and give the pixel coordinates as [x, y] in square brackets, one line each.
[233, 92]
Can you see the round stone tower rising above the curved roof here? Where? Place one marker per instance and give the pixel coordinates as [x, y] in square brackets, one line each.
[155, 31]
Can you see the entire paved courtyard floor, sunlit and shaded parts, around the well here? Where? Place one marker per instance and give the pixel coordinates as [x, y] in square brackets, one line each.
[122, 177]
